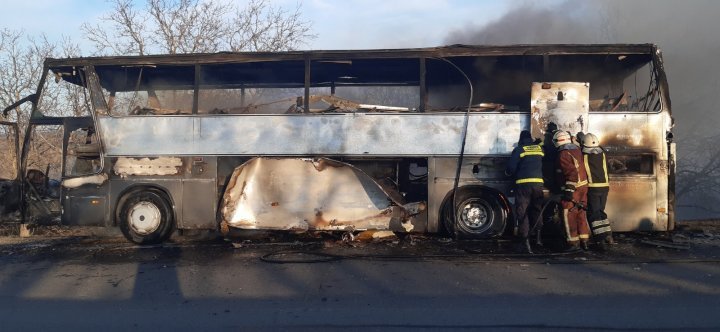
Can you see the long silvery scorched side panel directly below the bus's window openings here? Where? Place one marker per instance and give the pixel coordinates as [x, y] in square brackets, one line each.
[302, 135]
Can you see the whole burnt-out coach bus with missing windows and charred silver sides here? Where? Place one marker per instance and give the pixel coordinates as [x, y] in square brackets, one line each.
[408, 140]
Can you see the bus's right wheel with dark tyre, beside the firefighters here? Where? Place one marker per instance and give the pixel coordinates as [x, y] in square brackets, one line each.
[478, 214]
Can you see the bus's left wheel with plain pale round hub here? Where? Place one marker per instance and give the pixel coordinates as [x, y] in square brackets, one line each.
[145, 217]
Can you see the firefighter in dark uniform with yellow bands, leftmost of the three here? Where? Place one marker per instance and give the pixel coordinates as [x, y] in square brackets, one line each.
[525, 166]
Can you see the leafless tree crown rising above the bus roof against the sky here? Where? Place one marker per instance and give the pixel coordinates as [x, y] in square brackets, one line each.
[192, 26]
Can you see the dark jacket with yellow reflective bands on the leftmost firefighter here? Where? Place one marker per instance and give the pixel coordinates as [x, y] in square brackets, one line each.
[525, 163]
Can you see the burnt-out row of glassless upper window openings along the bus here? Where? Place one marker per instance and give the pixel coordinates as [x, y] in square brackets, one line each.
[363, 82]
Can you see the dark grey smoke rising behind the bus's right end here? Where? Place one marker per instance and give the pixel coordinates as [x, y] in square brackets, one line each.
[686, 32]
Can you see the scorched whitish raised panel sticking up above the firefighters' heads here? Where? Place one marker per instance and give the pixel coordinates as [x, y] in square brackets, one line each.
[564, 103]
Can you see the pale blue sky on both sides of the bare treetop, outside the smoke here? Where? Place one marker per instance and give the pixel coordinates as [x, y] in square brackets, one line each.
[338, 24]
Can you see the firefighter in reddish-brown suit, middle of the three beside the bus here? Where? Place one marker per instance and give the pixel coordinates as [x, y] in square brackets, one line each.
[573, 181]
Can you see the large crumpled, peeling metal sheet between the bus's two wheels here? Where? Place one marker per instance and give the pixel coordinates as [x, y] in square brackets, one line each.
[303, 194]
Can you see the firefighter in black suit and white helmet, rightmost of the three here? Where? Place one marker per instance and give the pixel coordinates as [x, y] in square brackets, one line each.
[596, 166]
